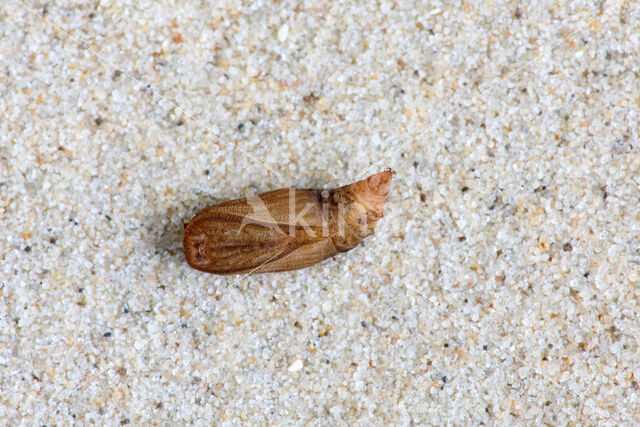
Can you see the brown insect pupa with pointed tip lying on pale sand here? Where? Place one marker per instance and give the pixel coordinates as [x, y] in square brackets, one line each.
[284, 229]
